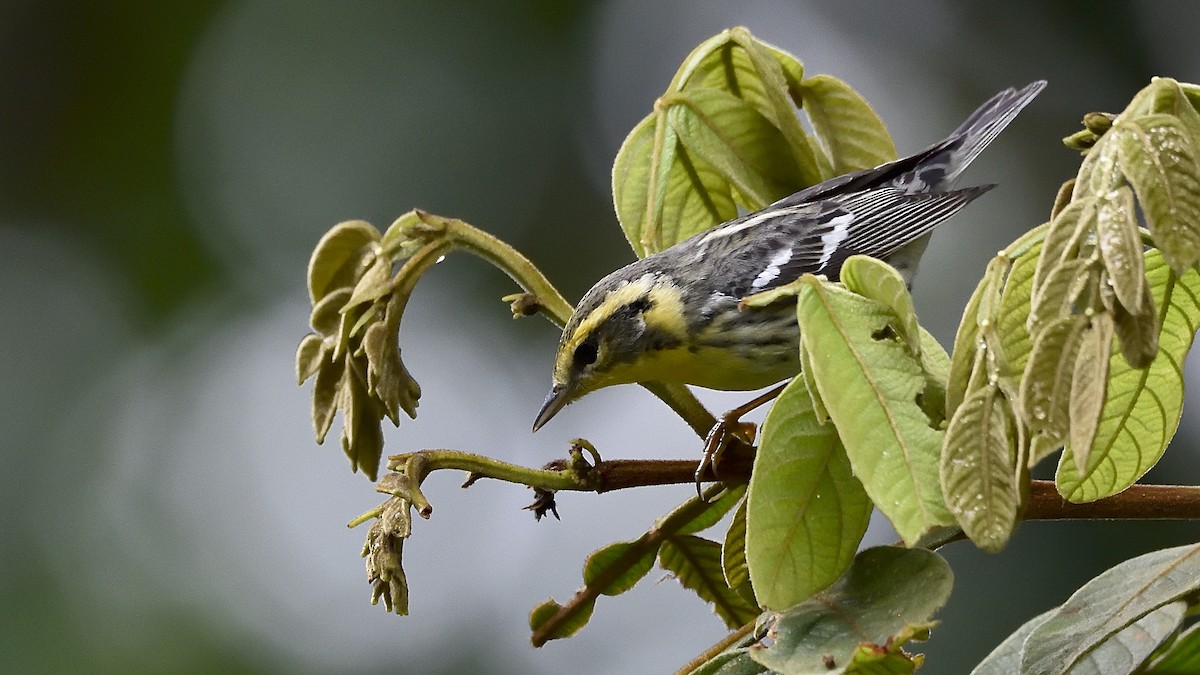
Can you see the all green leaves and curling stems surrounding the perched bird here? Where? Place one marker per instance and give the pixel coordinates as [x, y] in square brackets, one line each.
[1075, 339]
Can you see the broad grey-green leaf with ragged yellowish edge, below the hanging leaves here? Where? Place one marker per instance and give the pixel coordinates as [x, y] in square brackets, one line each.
[886, 592]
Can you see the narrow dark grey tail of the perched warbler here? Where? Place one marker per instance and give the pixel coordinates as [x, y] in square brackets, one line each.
[946, 160]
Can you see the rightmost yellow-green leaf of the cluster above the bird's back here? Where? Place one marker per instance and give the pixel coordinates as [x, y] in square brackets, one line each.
[848, 127]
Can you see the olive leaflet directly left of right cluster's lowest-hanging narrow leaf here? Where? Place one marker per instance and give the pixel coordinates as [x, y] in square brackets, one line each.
[1046, 386]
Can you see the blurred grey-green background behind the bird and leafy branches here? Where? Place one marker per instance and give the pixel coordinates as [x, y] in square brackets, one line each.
[167, 168]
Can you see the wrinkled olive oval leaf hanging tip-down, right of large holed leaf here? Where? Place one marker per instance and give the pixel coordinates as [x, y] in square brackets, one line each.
[977, 473]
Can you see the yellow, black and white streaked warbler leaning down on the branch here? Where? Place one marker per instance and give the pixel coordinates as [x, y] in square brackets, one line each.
[675, 316]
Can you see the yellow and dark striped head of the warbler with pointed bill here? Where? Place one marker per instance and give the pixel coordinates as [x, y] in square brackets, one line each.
[615, 337]
